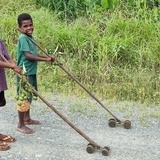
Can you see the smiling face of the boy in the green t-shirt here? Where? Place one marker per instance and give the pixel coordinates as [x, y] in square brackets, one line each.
[27, 27]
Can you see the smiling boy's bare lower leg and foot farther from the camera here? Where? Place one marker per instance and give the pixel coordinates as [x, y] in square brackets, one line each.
[28, 120]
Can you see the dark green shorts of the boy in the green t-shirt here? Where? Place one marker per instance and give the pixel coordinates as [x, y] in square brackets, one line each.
[32, 79]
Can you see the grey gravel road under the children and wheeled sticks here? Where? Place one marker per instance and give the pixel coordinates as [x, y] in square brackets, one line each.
[55, 140]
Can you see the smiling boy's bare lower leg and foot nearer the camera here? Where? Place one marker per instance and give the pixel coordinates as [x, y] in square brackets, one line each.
[21, 126]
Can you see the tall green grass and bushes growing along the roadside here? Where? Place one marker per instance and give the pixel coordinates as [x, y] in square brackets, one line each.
[111, 48]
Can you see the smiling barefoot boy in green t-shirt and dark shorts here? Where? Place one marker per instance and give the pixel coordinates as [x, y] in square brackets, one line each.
[27, 57]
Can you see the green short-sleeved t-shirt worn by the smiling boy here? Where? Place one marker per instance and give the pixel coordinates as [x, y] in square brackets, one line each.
[24, 44]
